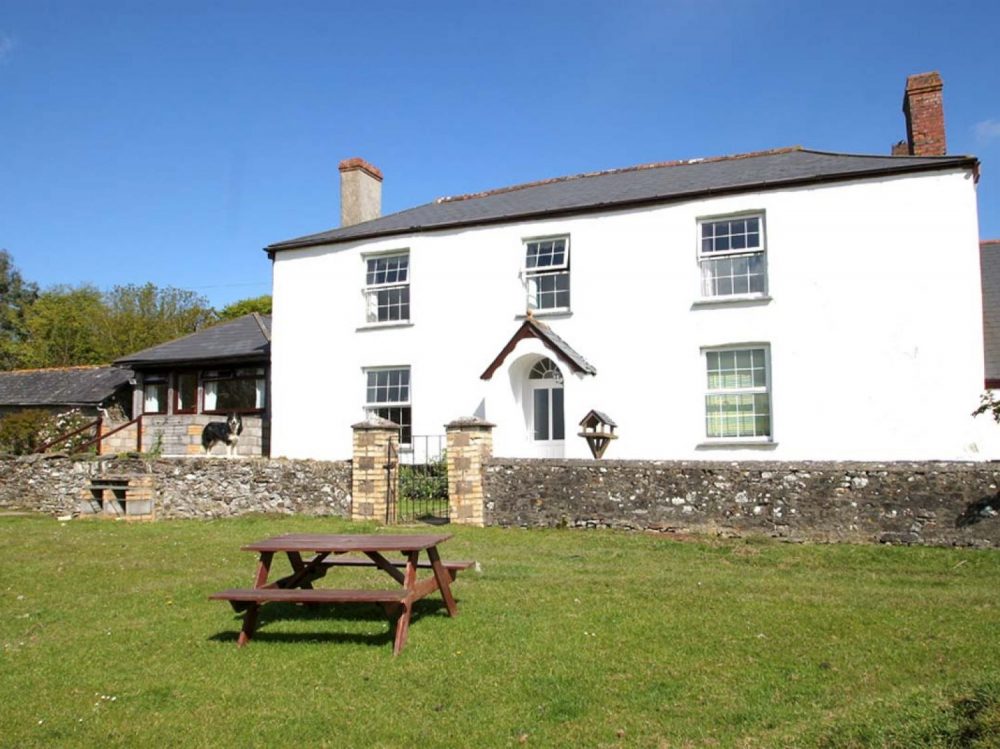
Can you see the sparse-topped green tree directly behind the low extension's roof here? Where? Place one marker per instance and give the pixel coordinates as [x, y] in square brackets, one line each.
[137, 317]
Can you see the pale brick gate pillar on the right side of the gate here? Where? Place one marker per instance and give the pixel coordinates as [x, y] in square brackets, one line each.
[470, 445]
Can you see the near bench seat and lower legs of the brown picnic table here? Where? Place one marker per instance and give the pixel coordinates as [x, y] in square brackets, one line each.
[250, 599]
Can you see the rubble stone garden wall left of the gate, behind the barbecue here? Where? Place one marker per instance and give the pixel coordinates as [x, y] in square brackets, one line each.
[183, 488]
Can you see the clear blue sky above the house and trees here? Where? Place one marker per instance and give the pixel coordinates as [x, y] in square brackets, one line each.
[170, 142]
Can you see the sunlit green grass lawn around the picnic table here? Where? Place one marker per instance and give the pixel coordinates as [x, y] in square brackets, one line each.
[564, 638]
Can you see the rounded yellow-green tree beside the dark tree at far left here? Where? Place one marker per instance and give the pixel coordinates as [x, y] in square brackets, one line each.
[64, 327]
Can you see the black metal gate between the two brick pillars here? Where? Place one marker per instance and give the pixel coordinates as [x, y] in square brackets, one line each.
[423, 481]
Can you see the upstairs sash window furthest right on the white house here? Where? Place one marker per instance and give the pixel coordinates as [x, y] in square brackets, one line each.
[731, 254]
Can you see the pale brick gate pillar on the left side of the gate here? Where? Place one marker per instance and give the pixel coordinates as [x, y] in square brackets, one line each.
[374, 468]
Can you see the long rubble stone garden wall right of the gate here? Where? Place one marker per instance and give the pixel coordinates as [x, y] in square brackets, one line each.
[940, 504]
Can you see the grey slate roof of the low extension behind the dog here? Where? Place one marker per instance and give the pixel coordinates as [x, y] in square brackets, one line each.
[243, 339]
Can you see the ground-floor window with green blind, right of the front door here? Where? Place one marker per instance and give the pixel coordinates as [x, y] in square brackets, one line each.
[737, 397]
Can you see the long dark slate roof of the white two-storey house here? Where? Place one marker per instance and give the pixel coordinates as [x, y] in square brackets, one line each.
[633, 186]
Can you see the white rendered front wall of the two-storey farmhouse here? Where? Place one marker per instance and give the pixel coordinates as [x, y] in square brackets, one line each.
[874, 327]
